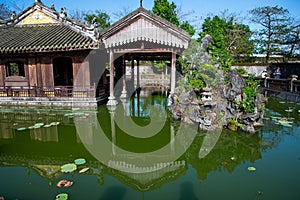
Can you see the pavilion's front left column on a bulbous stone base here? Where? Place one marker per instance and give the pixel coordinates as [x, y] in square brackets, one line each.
[111, 99]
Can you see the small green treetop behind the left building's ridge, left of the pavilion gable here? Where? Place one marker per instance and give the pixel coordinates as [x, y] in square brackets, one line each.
[99, 17]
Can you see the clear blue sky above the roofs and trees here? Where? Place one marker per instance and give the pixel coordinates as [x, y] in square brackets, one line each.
[199, 8]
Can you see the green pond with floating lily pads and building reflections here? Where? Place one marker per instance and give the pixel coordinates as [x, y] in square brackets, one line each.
[136, 152]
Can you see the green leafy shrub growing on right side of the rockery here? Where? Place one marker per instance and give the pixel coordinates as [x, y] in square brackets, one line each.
[248, 105]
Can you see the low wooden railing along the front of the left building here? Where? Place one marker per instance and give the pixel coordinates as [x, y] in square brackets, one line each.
[59, 91]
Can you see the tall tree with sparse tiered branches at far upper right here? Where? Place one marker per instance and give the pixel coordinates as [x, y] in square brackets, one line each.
[274, 22]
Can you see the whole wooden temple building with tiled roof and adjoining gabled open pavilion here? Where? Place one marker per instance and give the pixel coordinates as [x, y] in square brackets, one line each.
[47, 58]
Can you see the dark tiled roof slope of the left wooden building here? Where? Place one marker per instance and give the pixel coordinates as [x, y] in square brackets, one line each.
[42, 38]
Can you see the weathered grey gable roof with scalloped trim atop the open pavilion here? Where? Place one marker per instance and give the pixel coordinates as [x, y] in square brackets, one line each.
[141, 25]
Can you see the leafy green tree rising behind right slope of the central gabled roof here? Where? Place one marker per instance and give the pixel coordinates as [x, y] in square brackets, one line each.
[168, 11]
